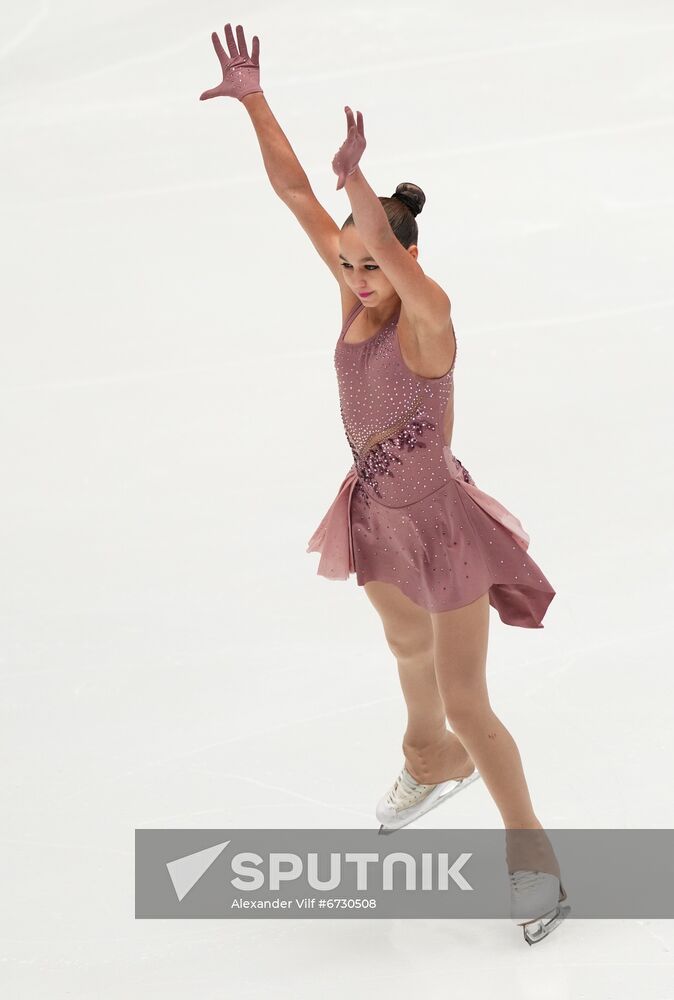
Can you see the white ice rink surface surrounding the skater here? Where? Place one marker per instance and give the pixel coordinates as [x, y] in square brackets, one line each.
[171, 437]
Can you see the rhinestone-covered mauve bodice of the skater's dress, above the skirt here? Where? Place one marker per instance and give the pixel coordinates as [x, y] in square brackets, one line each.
[393, 418]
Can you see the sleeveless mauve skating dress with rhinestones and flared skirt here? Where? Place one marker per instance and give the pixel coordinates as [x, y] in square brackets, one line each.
[408, 512]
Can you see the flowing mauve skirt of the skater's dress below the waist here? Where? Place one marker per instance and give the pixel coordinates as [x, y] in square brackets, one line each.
[443, 551]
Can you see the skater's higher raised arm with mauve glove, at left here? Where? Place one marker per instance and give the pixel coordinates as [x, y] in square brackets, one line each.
[241, 79]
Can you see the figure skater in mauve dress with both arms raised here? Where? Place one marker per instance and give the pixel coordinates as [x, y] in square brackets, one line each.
[431, 550]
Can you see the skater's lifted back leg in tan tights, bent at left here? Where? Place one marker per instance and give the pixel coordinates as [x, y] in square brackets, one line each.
[432, 753]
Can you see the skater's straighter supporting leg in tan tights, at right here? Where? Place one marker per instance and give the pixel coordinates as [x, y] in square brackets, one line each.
[460, 657]
